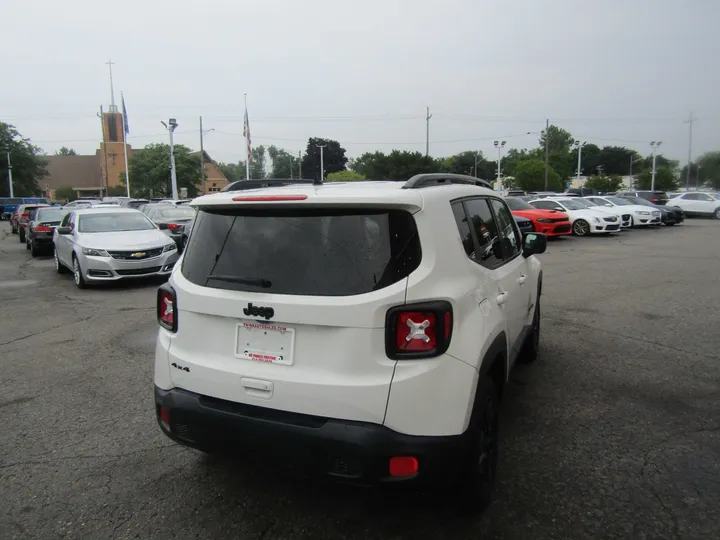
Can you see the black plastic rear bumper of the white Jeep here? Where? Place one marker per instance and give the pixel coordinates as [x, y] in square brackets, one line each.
[342, 450]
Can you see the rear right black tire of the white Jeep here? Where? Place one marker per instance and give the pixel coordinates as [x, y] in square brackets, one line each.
[481, 465]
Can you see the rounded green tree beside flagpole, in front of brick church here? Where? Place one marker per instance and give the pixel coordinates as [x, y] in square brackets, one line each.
[150, 171]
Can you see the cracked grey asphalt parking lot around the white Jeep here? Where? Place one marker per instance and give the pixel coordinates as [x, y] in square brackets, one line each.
[613, 433]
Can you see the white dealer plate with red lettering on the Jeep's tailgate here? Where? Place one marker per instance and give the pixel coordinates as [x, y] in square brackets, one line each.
[268, 343]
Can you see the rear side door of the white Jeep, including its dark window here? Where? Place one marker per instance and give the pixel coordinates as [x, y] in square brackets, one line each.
[484, 246]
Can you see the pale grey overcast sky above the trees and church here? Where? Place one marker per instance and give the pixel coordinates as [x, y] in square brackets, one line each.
[362, 72]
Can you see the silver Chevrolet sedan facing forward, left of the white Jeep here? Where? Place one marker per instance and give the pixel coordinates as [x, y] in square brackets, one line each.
[109, 244]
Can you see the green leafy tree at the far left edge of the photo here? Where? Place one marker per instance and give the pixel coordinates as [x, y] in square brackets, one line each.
[28, 167]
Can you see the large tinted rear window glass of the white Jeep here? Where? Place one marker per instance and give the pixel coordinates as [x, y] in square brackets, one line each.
[302, 252]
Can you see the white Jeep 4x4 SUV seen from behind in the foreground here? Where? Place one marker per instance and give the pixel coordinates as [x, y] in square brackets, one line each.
[362, 331]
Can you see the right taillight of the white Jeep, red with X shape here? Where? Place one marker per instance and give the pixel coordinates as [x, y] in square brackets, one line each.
[419, 330]
